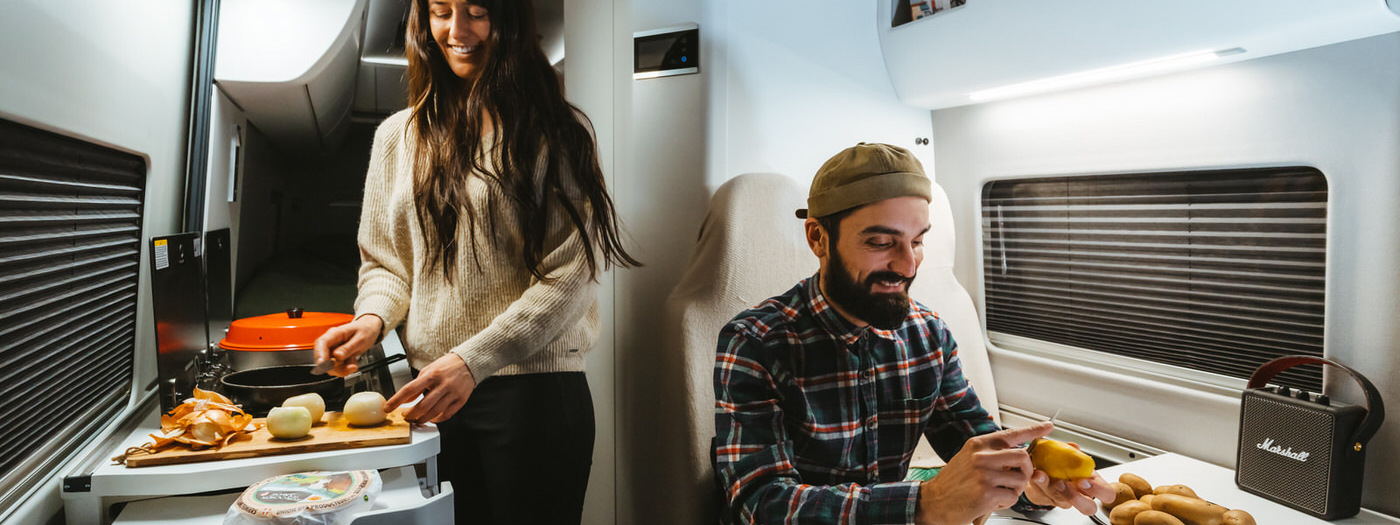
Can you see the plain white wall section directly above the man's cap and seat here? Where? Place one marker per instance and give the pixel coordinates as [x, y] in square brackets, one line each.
[796, 85]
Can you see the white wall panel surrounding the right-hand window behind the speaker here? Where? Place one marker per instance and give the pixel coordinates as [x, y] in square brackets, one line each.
[1333, 108]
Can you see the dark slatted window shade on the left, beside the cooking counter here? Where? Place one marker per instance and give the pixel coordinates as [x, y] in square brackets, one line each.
[71, 226]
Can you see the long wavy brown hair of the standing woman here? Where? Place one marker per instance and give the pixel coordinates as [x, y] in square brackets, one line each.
[523, 97]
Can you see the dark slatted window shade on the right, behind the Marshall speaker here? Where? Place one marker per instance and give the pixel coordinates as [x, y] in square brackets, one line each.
[1213, 271]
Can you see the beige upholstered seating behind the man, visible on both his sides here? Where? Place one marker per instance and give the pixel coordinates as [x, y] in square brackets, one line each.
[752, 248]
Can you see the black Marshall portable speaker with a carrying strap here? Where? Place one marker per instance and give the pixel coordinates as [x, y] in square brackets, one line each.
[1304, 450]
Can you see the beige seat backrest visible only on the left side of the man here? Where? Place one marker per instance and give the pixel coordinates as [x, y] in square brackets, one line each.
[751, 248]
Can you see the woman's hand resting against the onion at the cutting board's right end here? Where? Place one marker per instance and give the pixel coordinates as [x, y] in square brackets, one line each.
[444, 384]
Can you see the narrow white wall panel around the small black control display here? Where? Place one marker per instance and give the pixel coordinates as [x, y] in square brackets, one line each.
[661, 199]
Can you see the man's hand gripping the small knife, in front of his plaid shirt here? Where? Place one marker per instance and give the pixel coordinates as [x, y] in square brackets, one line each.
[988, 474]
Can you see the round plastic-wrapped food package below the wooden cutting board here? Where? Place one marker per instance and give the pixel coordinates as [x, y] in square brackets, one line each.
[306, 499]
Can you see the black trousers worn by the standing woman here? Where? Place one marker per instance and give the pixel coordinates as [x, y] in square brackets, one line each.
[520, 450]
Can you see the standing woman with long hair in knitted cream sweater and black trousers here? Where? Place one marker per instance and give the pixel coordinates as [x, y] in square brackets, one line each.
[484, 230]
